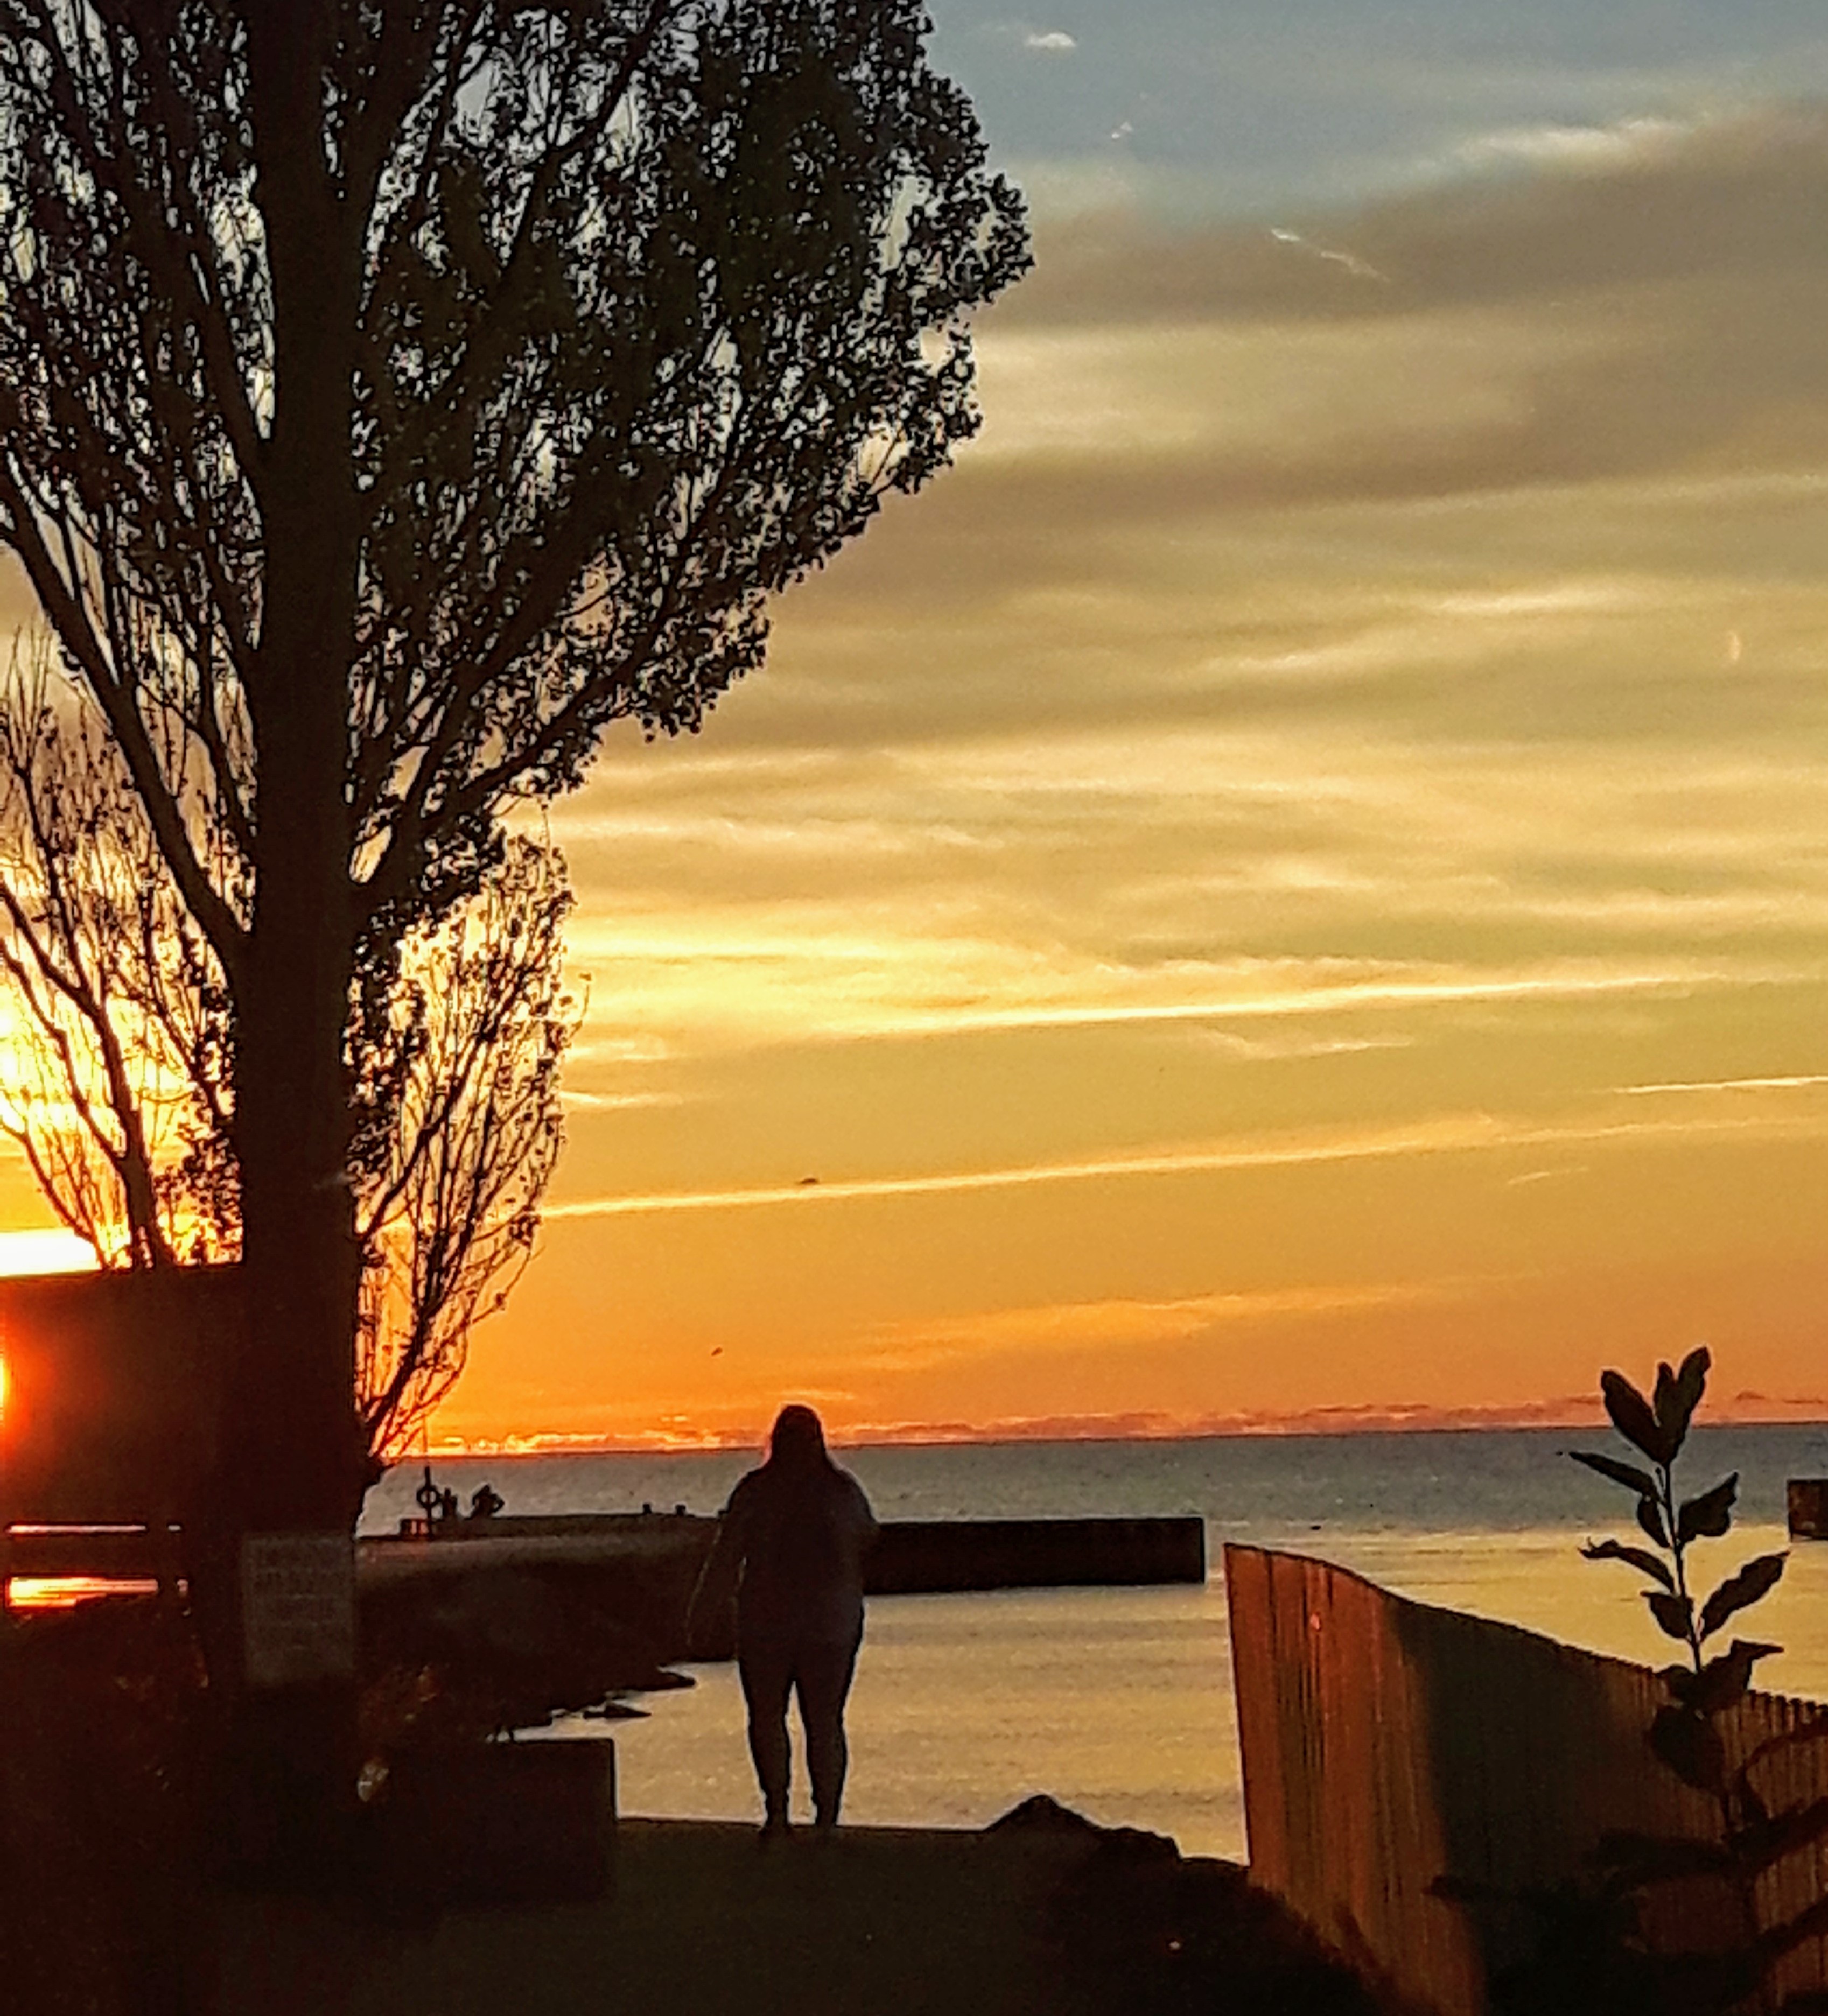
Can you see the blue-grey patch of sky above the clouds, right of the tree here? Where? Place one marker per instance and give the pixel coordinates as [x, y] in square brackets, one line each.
[1279, 102]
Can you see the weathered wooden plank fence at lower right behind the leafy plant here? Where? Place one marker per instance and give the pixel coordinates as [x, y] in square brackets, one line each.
[1390, 1745]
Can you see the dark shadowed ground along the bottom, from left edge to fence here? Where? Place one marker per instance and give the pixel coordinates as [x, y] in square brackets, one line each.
[106, 1908]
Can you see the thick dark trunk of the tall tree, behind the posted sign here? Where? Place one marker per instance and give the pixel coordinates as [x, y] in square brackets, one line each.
[293, 1459]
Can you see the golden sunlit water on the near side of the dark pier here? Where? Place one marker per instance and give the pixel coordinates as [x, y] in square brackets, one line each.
[1120, 1700]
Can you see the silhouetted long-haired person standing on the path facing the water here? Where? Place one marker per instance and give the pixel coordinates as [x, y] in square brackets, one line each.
[793, 1541]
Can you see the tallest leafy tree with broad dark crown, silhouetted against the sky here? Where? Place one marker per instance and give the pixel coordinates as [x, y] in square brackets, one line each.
[394, 396]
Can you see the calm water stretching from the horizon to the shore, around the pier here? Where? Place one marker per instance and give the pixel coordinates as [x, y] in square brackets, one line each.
[1120, 1700]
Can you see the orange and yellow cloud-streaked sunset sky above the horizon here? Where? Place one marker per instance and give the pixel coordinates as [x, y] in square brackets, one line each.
[1297, 876]
